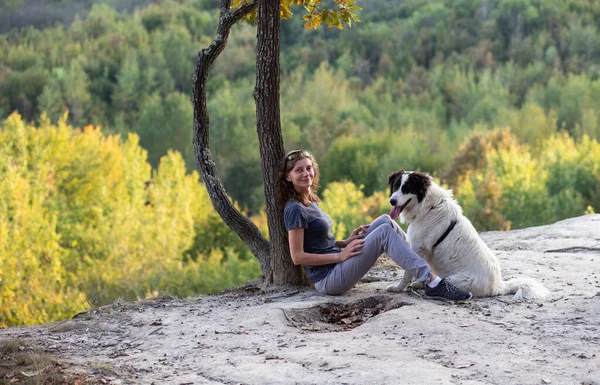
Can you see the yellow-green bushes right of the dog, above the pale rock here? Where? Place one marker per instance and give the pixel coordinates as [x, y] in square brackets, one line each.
[516, 187]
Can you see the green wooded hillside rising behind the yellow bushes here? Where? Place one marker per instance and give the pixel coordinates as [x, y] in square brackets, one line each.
[406, 87]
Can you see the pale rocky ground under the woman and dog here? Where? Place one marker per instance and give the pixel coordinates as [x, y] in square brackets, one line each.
[296, 336]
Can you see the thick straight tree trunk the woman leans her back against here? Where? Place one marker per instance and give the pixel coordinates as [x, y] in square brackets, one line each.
[268, 126]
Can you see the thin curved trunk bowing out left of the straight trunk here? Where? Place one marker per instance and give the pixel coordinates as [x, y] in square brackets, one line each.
[238, 222]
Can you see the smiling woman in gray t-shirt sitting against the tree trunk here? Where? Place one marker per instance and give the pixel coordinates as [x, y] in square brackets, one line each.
[334, 266]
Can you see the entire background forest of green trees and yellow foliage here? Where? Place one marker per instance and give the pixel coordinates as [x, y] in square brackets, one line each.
[497, 99]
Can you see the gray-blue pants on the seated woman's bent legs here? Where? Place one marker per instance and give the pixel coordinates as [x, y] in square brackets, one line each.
[384, 235]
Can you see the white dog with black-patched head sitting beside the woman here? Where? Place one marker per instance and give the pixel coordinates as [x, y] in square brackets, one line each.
[440, 233]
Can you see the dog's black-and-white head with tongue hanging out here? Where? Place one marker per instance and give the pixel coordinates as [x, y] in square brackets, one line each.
[407, 189]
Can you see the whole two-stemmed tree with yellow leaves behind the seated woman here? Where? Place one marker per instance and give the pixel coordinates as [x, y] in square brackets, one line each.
[273, 254]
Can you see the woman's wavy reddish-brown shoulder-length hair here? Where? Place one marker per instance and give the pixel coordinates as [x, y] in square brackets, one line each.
[285, 189]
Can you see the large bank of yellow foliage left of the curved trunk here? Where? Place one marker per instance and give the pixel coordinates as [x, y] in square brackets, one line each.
[84, 220]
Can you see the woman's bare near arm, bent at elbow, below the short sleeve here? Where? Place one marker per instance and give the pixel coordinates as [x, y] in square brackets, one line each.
[299, 257]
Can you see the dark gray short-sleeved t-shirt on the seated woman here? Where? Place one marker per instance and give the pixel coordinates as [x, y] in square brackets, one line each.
[318, 237]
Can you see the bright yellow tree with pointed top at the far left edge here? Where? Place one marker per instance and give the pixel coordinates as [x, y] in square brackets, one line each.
[32, 278]
